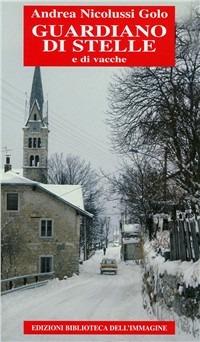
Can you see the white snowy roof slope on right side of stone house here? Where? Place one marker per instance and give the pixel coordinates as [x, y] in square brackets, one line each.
[70, 193]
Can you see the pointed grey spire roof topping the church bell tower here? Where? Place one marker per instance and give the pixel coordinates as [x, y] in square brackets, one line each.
[37, 90]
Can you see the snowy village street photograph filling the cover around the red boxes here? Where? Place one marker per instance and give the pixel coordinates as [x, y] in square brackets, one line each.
[100, 190]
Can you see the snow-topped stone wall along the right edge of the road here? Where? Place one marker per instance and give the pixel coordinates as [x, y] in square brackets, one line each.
[171, 290]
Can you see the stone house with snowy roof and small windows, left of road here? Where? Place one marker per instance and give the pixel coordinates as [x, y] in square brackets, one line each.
[40, 226]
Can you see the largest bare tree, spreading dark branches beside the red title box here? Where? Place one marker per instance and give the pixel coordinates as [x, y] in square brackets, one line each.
[159, 108]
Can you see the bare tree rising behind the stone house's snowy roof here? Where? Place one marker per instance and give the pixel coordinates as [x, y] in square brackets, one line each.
[74, 170]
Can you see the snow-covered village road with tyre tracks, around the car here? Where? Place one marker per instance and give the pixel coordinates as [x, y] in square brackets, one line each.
[89, 296]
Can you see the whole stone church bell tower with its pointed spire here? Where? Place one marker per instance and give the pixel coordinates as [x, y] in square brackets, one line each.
[35, 142]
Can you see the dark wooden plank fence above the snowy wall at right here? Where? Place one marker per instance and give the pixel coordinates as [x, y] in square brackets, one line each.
[185, 240]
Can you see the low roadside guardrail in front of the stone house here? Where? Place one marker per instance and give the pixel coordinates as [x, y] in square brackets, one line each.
[25, 282]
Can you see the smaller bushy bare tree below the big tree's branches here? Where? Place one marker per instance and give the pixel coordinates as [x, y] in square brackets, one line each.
[139, 184]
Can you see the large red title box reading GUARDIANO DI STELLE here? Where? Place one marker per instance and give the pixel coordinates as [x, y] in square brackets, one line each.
[99, 36]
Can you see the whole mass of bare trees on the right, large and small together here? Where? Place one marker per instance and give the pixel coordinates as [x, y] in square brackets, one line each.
[156, 111]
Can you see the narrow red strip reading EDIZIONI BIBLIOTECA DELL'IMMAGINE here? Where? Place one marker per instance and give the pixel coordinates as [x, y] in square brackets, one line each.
[99, 327]
